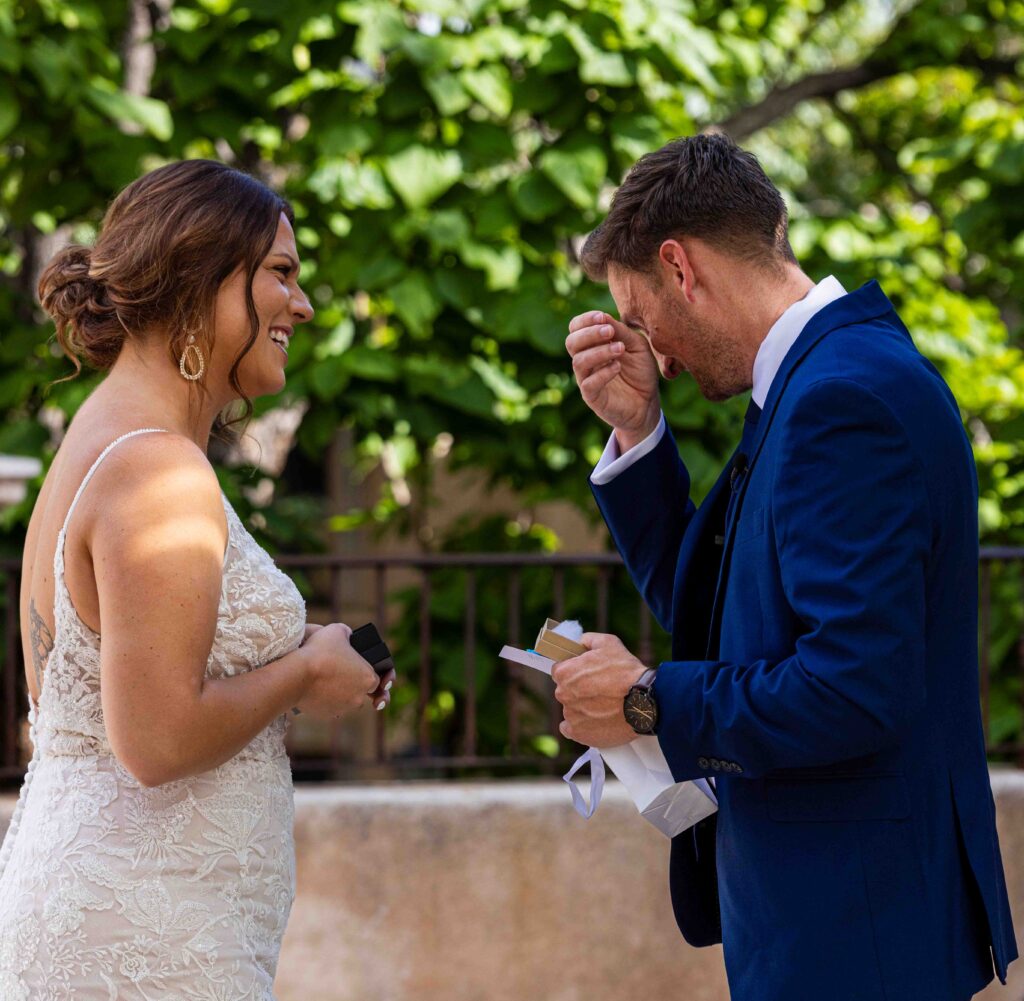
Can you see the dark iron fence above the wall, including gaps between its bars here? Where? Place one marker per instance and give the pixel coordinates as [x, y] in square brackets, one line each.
[458, 710]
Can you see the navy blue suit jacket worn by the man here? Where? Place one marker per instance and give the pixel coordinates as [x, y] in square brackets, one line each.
[826, 674]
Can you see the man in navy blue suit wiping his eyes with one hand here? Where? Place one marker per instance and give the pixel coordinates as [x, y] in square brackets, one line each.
[823, 601]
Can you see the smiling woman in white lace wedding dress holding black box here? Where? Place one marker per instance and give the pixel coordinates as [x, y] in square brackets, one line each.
[151, 855]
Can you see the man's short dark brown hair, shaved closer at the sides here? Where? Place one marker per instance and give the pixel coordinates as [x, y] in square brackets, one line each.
[704, 187]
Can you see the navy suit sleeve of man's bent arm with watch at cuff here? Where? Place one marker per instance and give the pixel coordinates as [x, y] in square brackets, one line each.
[852, 528]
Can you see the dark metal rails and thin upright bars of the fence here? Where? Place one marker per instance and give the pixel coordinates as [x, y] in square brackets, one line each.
[416, 753]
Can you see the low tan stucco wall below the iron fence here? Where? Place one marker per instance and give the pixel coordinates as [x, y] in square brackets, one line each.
[499, 892]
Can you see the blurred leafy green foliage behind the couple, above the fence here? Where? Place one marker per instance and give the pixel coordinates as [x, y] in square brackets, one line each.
[445, 159]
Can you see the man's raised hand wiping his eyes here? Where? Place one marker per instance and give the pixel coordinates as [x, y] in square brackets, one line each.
[617, 374]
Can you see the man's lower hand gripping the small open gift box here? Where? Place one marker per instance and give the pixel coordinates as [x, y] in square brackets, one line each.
[591, 689]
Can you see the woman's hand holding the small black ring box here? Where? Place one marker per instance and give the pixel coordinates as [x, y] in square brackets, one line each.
[338, 679]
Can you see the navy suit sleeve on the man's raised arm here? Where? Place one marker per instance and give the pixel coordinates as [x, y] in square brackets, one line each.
[648, 509]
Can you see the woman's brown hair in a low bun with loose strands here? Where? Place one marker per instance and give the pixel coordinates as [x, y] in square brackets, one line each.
[166, 244]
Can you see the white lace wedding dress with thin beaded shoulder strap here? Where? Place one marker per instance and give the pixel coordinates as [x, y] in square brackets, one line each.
[179, 893]
